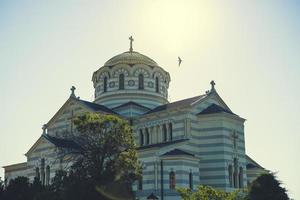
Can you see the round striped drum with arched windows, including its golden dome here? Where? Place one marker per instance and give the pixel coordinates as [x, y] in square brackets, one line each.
[131, 77]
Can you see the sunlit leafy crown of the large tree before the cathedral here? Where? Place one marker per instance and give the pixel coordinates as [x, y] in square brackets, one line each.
[107, 149]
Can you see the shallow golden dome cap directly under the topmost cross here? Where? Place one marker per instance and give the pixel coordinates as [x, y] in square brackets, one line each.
[130, 58]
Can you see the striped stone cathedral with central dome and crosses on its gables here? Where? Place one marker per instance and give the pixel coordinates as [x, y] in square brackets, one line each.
[193, 141]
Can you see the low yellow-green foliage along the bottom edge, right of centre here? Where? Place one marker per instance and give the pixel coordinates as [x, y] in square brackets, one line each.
[209, 193]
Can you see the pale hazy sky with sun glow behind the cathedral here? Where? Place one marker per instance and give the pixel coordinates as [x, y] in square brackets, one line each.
[249, 48]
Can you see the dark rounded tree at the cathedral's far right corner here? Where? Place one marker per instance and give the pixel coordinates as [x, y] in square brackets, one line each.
[267, 187]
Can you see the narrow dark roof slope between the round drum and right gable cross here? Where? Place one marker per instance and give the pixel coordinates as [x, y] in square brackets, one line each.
[176, 104]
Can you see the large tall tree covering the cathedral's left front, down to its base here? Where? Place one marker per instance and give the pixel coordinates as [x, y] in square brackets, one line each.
[105, 160]
